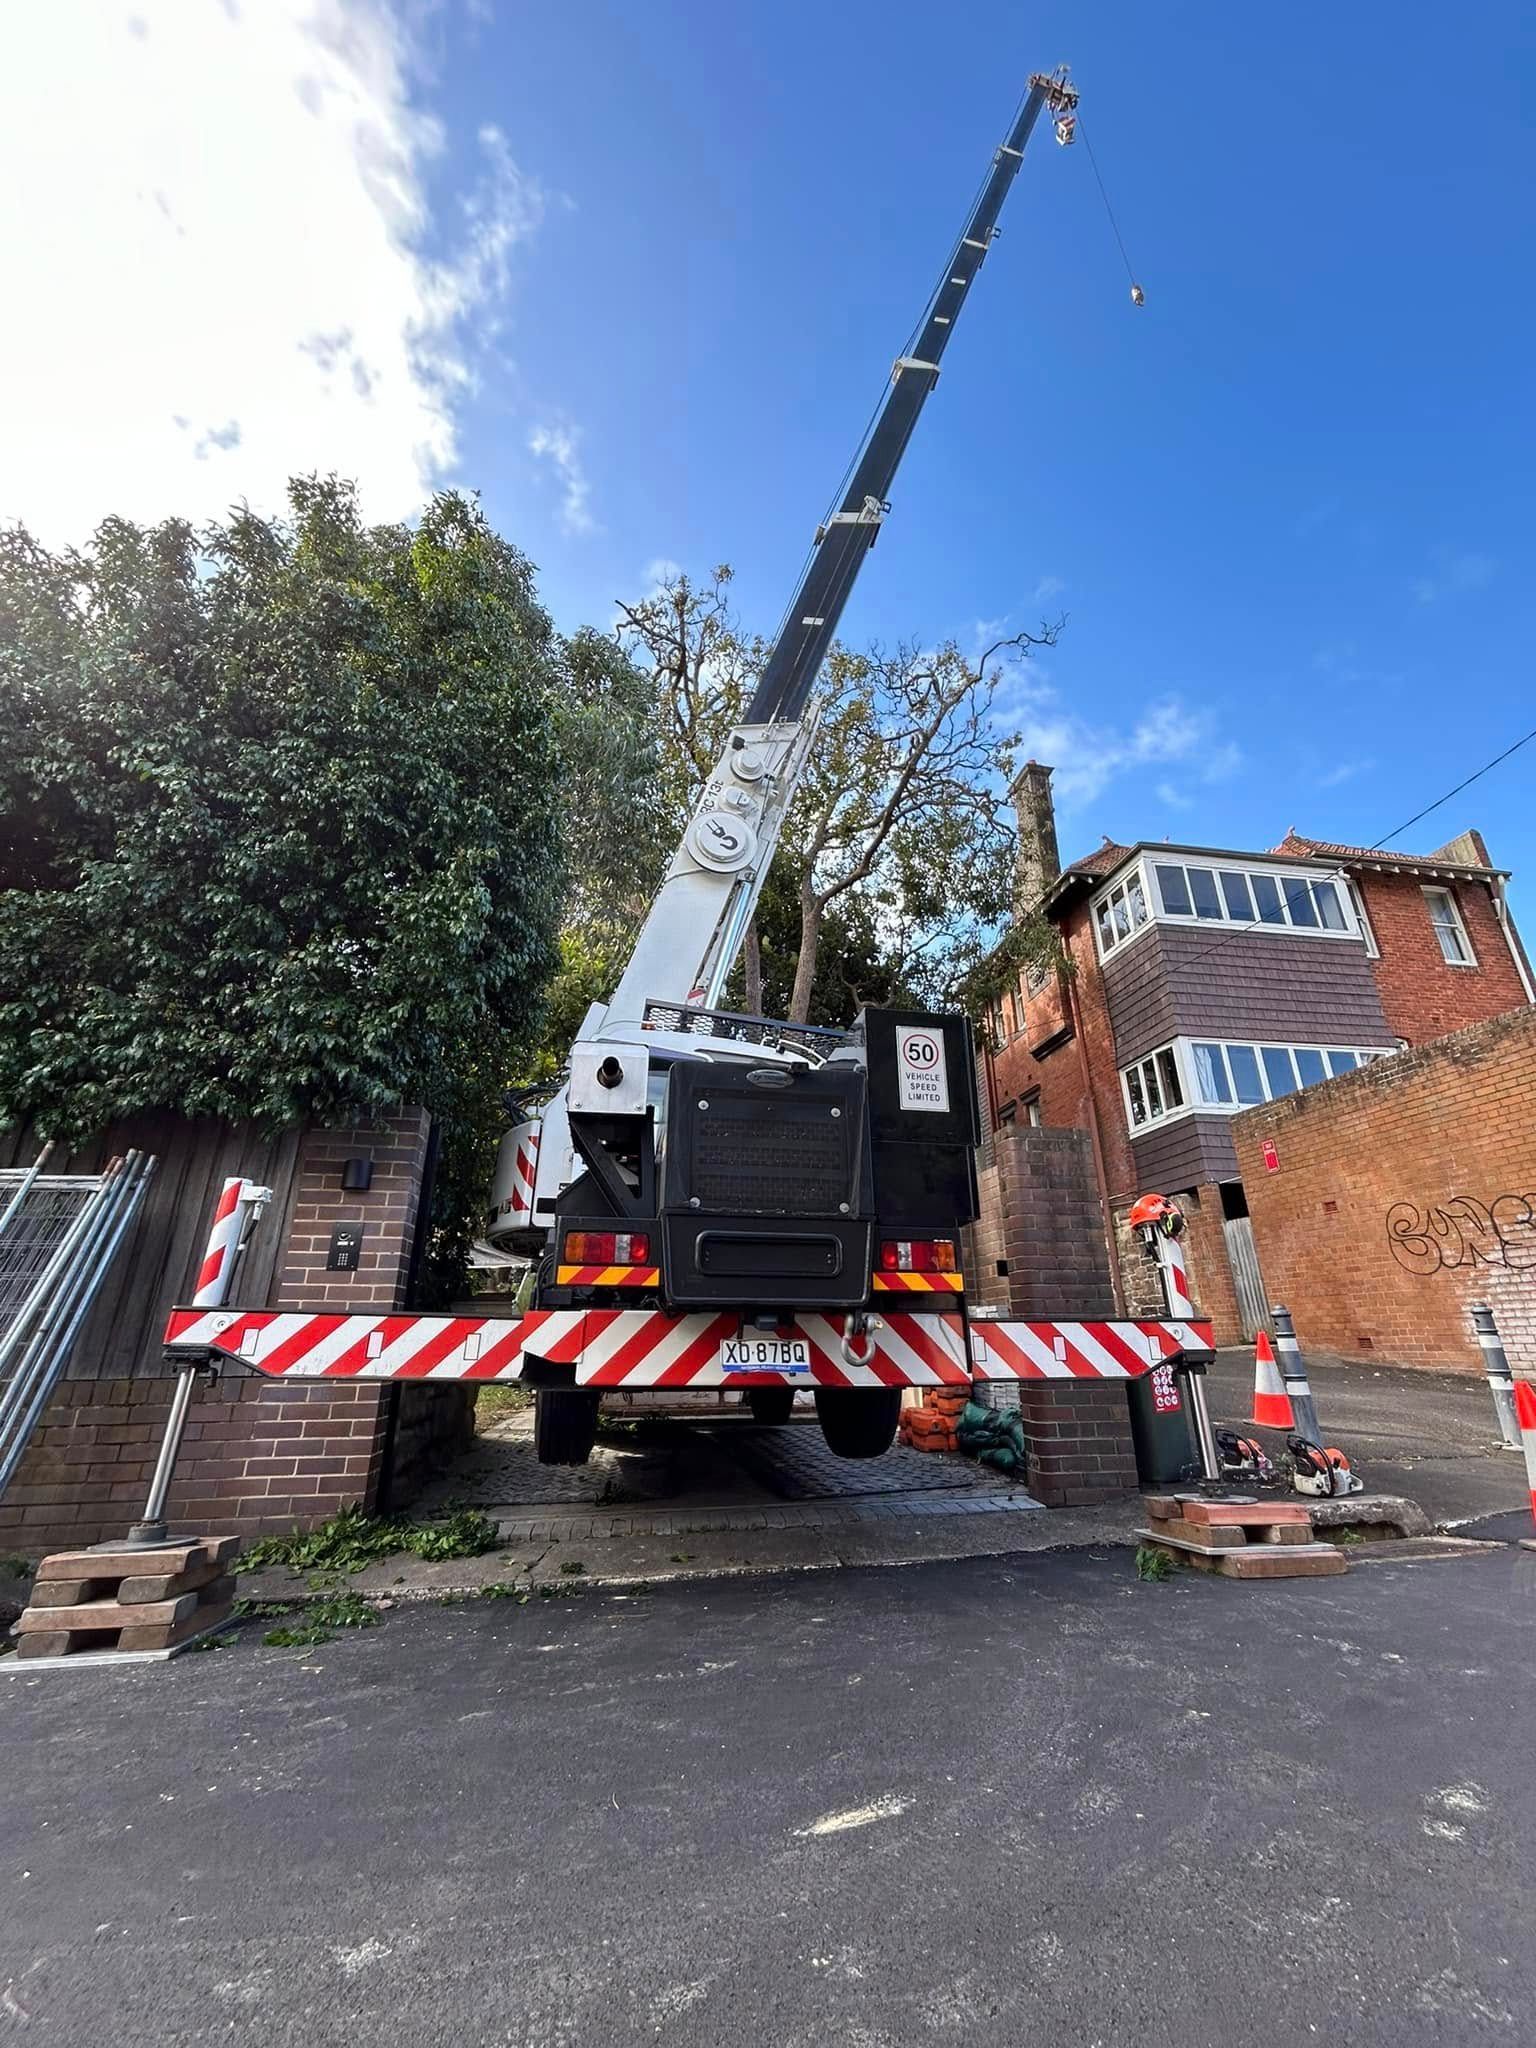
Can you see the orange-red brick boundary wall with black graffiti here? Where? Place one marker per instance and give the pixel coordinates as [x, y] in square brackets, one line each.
[1404, 1195]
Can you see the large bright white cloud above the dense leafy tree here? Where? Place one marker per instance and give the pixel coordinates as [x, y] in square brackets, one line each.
[222, 265]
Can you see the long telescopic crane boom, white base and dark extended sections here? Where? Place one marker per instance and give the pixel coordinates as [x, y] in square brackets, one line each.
[699, 919]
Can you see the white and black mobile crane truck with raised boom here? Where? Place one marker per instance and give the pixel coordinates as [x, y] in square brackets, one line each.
[730, 1201]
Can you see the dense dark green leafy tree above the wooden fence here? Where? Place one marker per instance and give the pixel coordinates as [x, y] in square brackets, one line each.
[282, 816]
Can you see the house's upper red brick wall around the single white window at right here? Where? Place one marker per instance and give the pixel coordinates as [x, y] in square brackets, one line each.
[1422, 994]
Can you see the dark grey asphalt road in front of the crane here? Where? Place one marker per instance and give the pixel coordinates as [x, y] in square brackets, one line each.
[988, 1801]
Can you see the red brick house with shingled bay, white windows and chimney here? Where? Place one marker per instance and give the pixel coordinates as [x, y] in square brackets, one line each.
[1209, 980]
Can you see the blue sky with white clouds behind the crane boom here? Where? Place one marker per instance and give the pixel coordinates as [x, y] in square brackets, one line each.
[665, 257]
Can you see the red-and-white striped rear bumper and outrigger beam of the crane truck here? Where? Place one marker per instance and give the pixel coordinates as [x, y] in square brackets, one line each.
[648, 1349]
